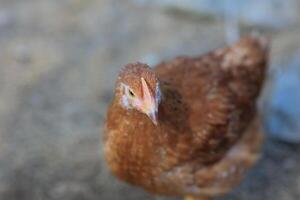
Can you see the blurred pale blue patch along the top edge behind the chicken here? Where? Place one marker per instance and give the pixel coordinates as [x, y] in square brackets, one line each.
[266, 13]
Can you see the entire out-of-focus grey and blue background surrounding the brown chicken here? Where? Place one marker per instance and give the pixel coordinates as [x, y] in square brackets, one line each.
[58, 63]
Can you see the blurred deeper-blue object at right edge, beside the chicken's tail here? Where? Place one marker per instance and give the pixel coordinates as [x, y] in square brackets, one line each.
[282, 111]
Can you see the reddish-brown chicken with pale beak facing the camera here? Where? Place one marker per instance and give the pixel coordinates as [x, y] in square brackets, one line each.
[188, 127]
